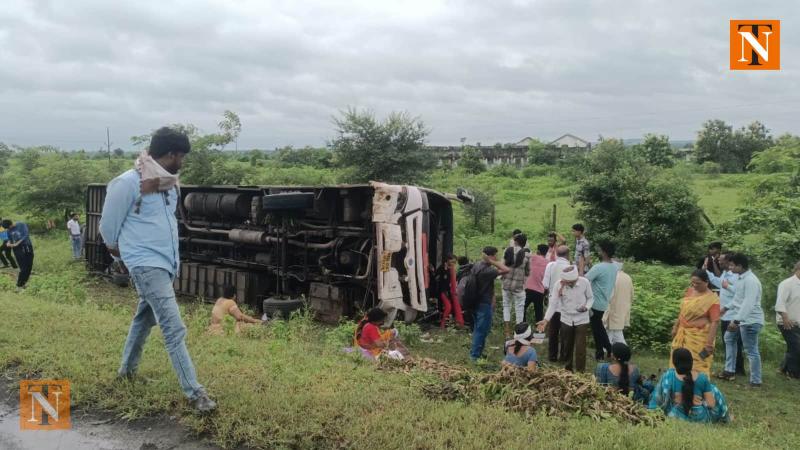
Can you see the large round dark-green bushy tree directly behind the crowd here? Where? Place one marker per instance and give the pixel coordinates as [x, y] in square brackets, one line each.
[638, 206]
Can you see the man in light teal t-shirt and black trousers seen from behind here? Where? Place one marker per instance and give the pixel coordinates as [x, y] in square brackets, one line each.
[603, 276]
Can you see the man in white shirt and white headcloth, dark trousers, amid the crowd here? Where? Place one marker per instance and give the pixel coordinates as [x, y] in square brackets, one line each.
[572, 297]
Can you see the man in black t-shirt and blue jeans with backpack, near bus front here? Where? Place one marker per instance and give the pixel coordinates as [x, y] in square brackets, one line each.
[485, 272]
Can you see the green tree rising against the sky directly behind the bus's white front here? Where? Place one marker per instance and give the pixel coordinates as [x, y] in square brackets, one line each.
[392, 150]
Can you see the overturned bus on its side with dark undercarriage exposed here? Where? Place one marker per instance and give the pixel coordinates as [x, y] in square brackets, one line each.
[338, 249]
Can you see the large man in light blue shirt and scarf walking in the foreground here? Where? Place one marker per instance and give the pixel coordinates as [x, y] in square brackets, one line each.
[139, 226]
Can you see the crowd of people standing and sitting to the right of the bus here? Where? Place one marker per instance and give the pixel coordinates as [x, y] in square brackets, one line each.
[573, 297]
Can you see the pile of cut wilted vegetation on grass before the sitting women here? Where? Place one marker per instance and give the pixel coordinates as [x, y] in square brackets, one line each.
[552, 392]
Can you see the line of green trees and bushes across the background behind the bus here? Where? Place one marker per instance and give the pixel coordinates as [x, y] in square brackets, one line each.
[623, 192]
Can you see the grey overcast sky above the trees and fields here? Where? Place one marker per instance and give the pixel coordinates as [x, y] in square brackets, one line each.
[487, 71]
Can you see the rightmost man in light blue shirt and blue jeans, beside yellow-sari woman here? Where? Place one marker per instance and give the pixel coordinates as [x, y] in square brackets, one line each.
[748, 319]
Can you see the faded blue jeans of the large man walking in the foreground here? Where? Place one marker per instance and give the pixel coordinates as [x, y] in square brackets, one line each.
[157, 305]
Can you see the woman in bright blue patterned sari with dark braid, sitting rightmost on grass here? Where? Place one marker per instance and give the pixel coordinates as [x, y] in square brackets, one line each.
[688, 394]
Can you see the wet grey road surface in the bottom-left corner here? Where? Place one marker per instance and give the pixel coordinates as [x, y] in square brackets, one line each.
[92, 431]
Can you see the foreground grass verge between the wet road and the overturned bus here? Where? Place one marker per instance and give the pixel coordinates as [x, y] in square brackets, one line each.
[289, 386]
